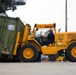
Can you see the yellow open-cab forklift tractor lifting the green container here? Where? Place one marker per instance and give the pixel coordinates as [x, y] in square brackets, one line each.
[31, 50]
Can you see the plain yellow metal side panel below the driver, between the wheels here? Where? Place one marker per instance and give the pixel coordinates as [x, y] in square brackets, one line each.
[49, 50]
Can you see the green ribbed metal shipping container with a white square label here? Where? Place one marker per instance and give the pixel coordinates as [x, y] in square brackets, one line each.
[10, 28]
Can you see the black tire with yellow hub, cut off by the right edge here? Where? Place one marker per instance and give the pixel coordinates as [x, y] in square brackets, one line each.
[69, 52]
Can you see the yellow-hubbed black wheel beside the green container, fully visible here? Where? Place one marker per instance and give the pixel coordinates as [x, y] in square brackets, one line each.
[28, 58]
